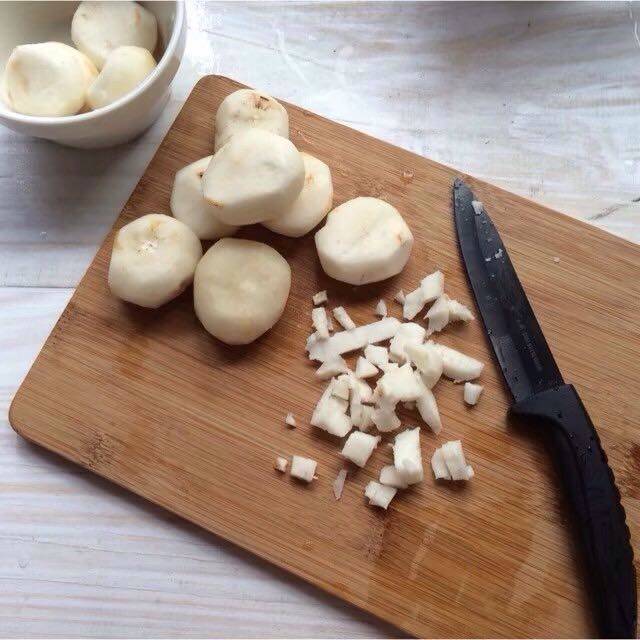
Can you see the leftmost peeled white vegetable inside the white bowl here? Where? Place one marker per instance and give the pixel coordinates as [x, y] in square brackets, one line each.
[47, 79]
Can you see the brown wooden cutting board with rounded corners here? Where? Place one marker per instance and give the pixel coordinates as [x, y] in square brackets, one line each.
[152, 402]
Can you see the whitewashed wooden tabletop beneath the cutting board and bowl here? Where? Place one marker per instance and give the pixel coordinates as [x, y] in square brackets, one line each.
[539, 98]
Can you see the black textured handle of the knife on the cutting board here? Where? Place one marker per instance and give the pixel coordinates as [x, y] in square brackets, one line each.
[592, 493]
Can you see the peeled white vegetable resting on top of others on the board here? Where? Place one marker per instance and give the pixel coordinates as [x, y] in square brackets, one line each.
[256, 176]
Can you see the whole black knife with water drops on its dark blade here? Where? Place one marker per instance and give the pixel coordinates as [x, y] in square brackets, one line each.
[541, 396]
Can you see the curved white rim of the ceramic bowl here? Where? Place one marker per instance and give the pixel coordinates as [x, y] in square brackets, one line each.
[172, 45]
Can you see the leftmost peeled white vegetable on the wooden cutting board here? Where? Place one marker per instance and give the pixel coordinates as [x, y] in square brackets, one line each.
[153, 260]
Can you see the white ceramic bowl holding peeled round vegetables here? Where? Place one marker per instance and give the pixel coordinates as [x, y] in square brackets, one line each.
[29, 22]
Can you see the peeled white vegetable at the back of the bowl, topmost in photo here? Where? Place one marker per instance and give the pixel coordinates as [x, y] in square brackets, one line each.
[98, 28]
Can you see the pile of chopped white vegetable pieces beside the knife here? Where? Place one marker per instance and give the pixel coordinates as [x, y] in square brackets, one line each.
[407, 371]
